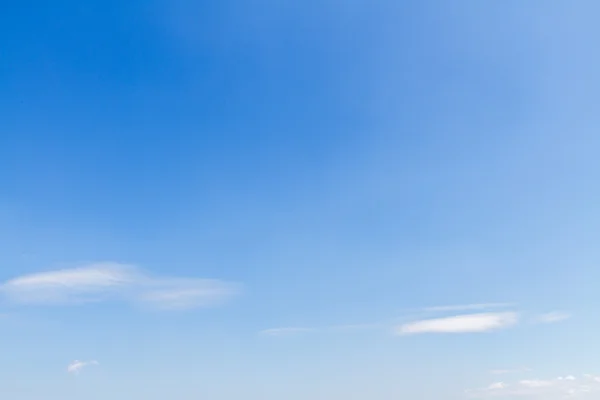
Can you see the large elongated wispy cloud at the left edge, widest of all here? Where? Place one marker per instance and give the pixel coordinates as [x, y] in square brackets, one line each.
[113, 281]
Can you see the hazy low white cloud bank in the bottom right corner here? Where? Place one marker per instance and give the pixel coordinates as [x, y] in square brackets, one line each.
[585, 387]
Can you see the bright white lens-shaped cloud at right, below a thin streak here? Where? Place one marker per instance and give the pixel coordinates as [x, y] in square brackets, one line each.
[468, 323]
